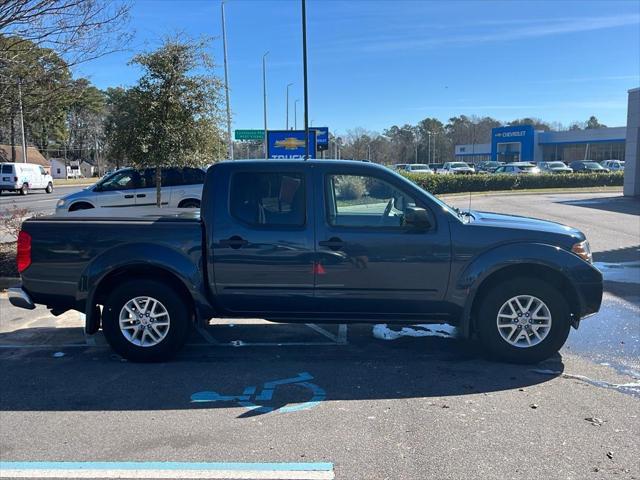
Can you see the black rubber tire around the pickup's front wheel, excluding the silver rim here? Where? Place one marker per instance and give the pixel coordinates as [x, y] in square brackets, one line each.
[499, 348]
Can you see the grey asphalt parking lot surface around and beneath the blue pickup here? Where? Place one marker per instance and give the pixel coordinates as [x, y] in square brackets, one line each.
[386, 403]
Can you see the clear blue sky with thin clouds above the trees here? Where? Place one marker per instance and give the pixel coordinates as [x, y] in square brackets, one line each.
[373, 64]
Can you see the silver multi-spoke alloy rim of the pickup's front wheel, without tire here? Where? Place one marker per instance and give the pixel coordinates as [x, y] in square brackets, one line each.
[524, 321]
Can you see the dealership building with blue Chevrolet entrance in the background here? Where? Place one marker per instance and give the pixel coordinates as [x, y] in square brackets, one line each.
[523, 143]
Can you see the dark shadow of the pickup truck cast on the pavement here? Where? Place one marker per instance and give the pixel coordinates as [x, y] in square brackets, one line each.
[255, 380]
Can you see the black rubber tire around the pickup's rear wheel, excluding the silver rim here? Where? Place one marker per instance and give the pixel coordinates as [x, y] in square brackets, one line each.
[179, 320]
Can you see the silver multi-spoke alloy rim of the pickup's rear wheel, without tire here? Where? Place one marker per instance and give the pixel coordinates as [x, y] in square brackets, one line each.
[144, 321]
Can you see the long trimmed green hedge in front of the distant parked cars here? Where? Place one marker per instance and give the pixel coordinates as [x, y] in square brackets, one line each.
[439, 184]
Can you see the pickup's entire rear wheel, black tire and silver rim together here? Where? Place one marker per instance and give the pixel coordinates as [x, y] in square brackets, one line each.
[145, 321]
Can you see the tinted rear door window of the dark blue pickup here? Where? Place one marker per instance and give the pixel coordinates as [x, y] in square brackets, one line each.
[268, 199]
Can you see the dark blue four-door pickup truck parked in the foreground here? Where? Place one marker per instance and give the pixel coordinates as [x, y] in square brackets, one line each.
[314, 241]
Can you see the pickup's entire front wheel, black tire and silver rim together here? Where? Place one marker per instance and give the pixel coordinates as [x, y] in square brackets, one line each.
[524, 320]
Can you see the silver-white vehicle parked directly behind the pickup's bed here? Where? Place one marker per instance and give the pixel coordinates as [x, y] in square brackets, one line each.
[127, 187]
